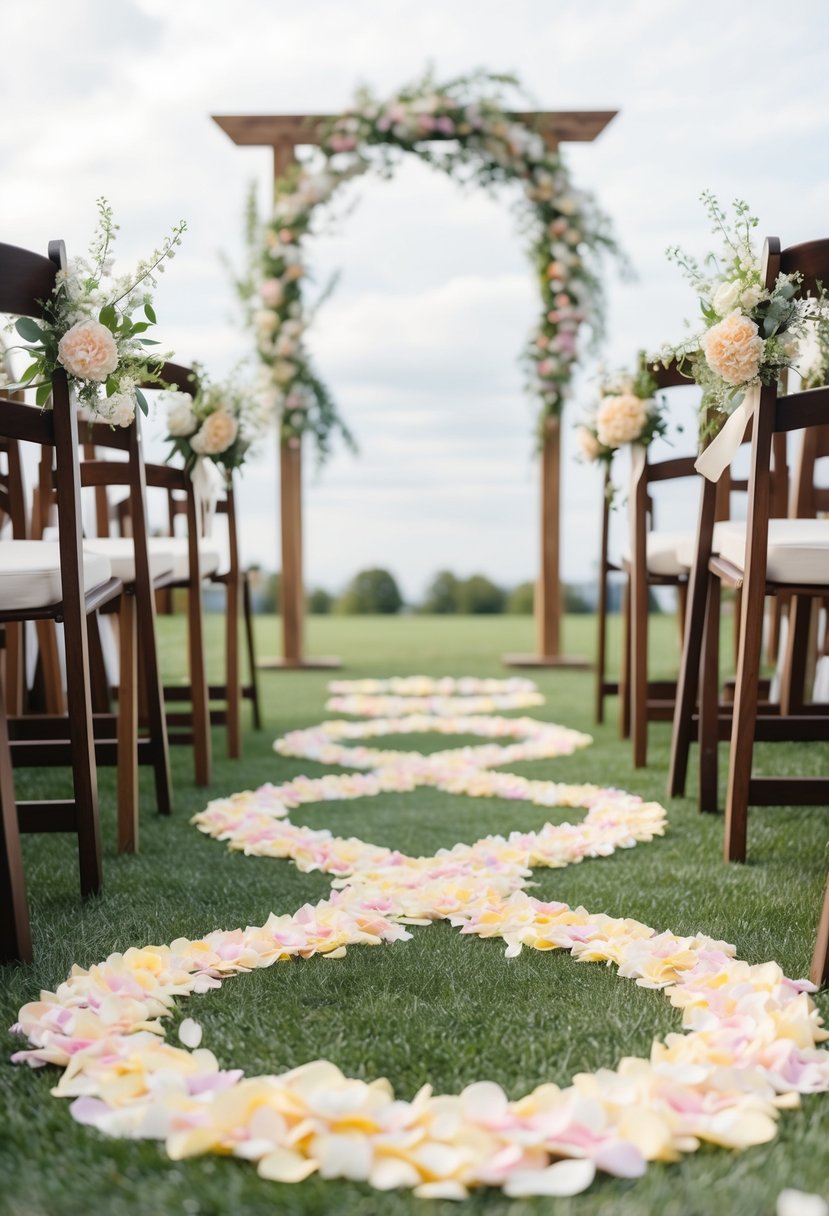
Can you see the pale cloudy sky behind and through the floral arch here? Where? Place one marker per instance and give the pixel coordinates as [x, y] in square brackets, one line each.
[420, 342]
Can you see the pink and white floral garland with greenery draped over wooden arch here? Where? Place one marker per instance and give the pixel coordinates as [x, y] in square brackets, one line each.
[464, 128]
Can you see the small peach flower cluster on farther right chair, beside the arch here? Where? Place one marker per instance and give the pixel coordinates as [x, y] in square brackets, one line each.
[628, 412]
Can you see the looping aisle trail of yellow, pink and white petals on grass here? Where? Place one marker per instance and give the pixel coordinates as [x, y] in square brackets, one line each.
[748, 1050]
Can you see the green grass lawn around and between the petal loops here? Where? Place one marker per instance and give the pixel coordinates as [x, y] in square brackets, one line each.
[442, 1007]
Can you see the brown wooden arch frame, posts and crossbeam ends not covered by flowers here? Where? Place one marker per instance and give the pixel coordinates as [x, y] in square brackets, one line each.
[284, 134]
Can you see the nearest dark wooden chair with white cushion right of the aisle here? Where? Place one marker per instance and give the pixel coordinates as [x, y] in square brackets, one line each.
[769, 558]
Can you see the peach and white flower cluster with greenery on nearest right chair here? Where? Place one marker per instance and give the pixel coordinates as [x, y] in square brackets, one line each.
[752, 333]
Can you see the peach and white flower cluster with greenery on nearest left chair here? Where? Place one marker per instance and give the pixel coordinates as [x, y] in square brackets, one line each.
[95, 328]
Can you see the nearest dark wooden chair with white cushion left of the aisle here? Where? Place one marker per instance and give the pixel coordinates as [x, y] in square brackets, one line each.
[58, 582]
